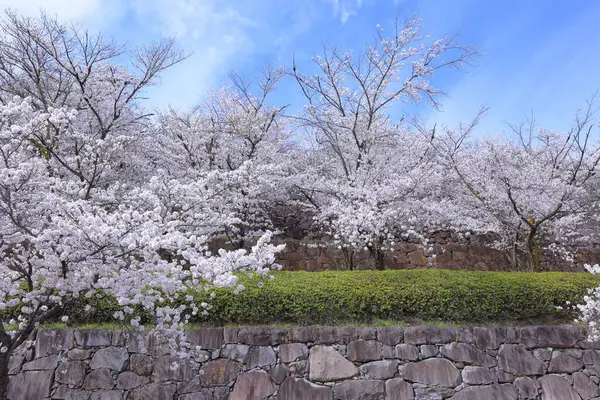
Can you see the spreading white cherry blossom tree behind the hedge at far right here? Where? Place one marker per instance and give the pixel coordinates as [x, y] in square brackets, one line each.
[530, 188]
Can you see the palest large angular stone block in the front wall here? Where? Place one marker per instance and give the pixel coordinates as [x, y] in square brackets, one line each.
[327, 365]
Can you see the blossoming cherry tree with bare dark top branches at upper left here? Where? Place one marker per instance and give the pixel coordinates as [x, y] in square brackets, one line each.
[59, 65]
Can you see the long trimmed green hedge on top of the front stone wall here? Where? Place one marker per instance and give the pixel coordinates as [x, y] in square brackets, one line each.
[402, 295]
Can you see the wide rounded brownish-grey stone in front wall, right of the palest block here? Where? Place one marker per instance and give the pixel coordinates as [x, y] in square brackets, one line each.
[433, 371]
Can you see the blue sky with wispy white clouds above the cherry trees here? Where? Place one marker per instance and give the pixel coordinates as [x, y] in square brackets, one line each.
[538, 55]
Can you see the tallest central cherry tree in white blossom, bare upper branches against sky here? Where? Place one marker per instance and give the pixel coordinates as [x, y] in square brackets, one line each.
[372, 173]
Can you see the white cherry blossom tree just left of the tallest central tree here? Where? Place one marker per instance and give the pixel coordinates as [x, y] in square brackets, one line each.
[234, 133]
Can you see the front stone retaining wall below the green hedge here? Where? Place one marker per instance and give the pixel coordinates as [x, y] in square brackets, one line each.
[391, 363]
